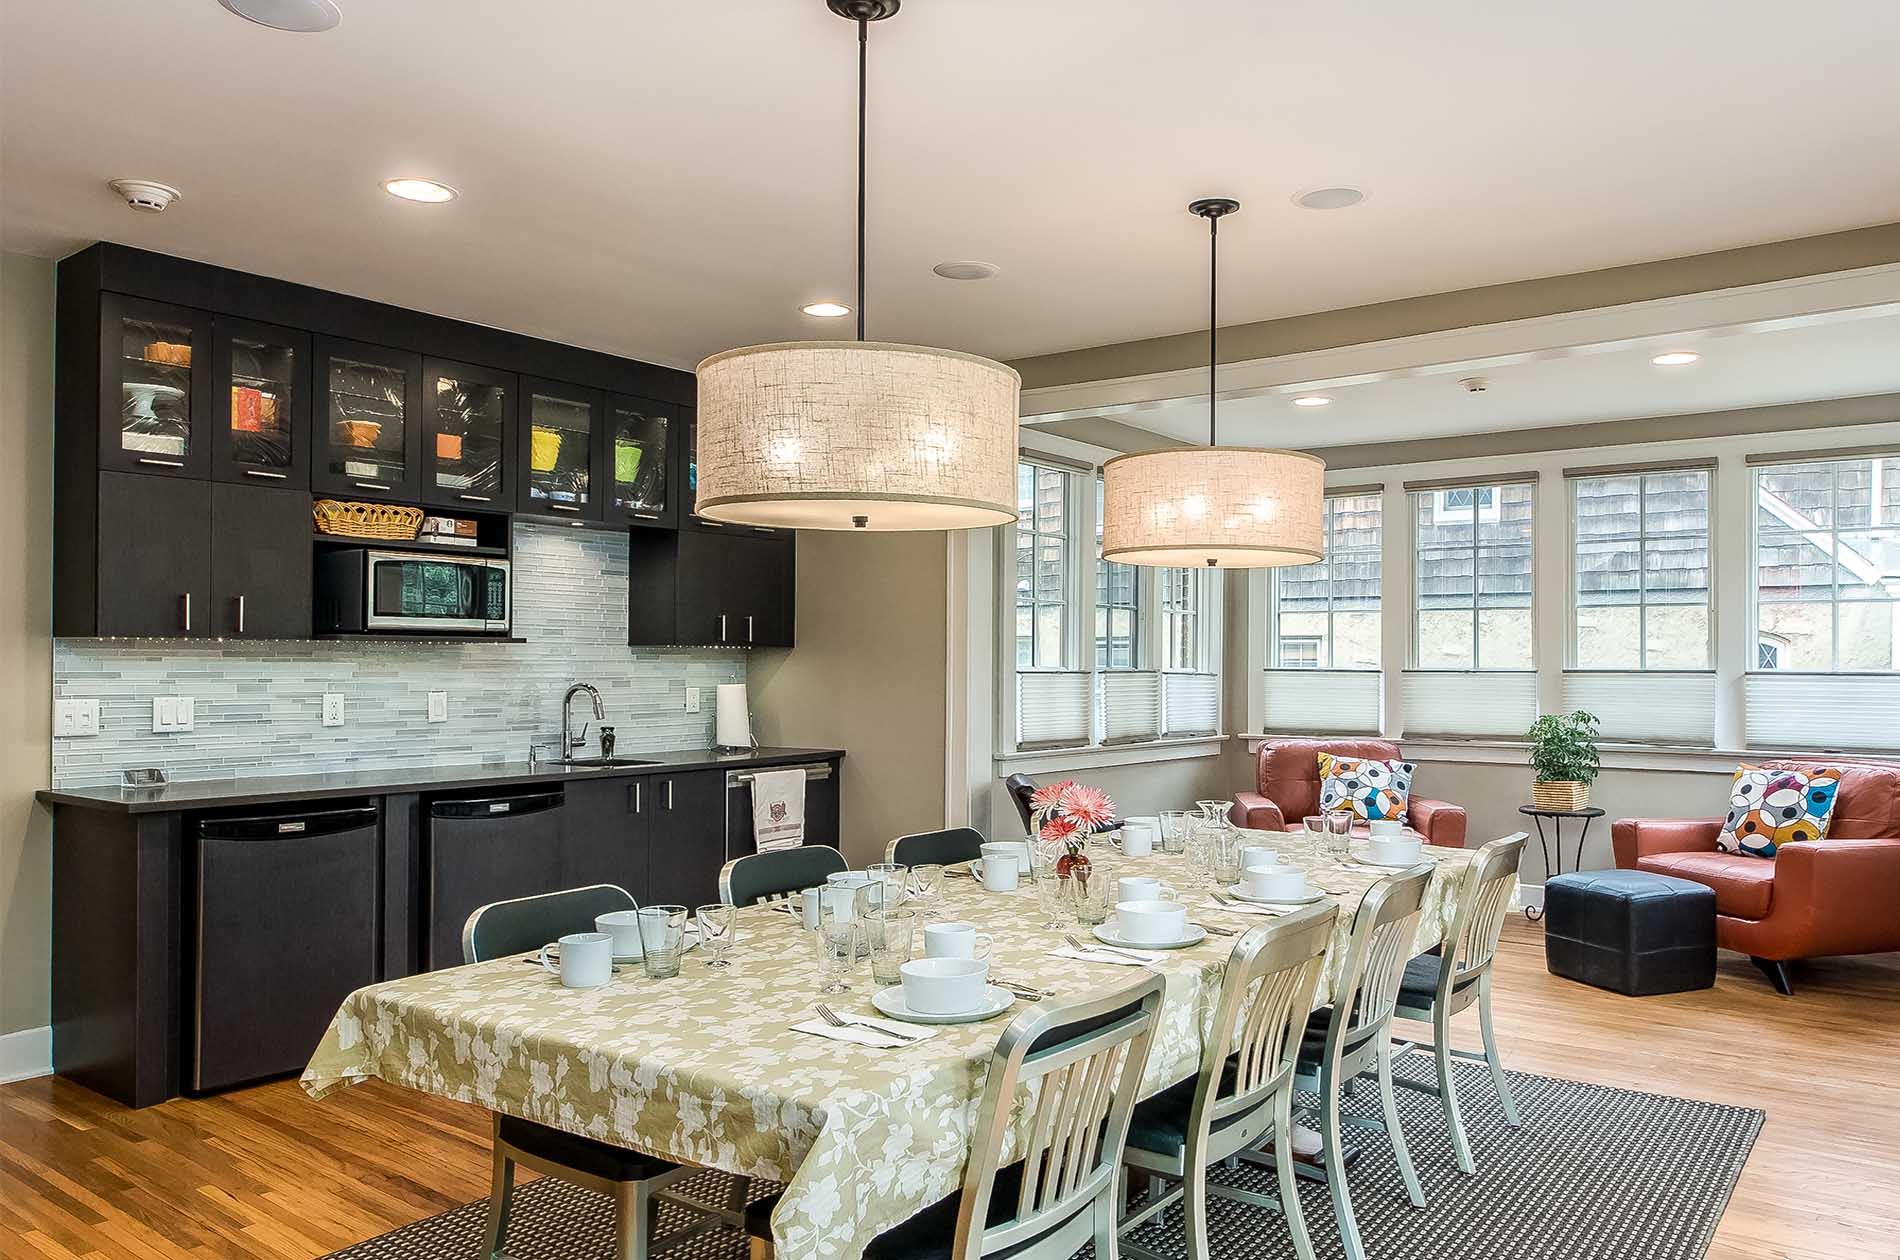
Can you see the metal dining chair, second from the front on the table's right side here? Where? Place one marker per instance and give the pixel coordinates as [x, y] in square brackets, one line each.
[1238, 1098]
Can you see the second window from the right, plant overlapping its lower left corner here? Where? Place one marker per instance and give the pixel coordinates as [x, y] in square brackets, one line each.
[1641, 640]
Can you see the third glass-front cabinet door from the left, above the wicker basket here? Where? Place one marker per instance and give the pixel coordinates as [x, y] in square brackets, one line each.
[368, 421]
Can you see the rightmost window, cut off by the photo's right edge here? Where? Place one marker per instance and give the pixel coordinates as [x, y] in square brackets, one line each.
[1825, 603]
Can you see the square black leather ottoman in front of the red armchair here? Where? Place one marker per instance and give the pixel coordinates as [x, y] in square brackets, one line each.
[1631, 932]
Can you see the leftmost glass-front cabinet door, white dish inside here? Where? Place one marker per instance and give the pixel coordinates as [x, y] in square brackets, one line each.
[155, 406]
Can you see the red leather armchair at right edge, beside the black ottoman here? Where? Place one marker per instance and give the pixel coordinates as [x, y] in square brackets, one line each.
[1817, 898]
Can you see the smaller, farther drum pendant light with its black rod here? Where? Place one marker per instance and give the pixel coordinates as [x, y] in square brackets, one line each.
[1215, 506]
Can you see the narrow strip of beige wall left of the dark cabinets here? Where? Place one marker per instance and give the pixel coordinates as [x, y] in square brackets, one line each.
[26, 638]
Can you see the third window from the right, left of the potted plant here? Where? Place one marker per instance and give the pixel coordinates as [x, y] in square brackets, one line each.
[1472, 609]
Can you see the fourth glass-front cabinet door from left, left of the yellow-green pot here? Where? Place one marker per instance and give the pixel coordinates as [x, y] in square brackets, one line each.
[468, 436]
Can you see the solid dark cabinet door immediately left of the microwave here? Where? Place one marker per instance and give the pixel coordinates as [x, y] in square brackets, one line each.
[259, 563]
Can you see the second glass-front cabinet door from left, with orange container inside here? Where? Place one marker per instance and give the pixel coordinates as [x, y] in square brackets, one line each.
[261, 404]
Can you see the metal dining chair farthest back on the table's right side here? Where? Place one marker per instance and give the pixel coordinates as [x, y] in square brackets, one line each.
[1435, 987]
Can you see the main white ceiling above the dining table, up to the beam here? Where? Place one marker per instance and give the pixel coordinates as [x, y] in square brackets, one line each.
[674, 180]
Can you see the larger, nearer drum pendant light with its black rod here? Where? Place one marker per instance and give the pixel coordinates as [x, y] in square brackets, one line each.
[873, 436]
